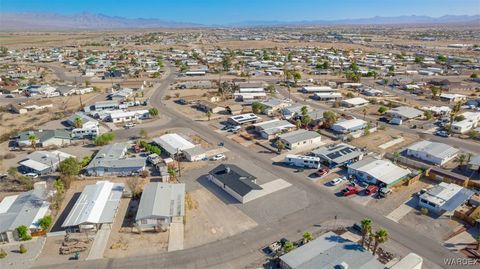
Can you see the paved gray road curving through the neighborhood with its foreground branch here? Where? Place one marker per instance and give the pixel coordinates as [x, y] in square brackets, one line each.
[240, 250]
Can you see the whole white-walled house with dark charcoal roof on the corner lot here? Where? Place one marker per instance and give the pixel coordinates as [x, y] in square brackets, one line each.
[235, 181]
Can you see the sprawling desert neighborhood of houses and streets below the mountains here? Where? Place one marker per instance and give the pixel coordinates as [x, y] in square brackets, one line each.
[329, 148]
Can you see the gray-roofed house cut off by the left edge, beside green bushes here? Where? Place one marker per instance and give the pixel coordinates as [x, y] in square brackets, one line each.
[23, 209]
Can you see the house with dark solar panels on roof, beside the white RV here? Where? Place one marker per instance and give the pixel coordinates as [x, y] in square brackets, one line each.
[338, 155]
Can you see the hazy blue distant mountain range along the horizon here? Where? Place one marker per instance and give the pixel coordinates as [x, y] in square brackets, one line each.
[92, 21]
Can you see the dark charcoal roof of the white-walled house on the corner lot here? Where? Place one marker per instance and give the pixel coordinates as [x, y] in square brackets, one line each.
[235, 178]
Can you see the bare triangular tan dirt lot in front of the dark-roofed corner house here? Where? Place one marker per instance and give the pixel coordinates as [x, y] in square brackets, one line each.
[213, 219]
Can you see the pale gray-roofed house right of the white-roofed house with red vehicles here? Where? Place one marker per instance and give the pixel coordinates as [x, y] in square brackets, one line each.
[432, 152]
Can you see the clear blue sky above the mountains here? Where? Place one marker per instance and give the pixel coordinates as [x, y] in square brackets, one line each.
[229, 11]
